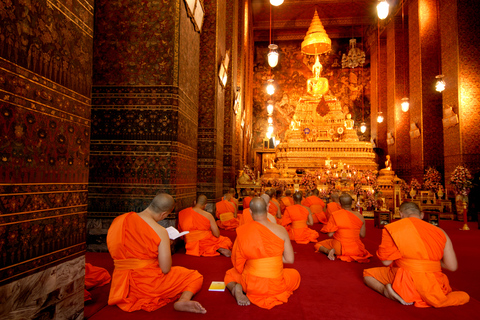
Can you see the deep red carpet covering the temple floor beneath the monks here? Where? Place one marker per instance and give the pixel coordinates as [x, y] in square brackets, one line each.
[329, 289]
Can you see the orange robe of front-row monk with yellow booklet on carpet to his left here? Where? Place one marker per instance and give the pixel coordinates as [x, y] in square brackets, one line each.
[258, 267]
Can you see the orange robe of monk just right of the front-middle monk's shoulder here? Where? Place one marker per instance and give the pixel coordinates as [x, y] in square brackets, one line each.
[295, 221]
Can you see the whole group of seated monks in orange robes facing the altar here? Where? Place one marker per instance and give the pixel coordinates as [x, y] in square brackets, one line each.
[412, 250]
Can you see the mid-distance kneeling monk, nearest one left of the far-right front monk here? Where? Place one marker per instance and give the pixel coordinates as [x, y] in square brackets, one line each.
[346, 227]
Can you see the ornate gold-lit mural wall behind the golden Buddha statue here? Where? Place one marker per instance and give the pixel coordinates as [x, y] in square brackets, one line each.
[350, 86]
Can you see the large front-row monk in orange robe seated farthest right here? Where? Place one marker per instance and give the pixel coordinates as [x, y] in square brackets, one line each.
[418, 251]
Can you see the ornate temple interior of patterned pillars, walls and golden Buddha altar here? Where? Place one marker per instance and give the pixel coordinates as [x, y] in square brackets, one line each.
[105, 103]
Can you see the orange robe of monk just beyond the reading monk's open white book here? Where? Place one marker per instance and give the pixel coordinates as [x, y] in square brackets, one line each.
[200, 241]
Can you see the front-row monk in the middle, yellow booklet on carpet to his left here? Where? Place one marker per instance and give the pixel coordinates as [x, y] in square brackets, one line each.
[260, 250]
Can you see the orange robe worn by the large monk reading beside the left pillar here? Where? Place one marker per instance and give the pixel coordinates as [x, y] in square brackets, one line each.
[137, 281]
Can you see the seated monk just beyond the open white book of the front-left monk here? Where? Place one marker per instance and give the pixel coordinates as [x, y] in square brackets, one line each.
[204, 238]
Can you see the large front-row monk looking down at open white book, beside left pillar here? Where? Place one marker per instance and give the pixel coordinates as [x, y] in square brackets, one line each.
[144, 277]
